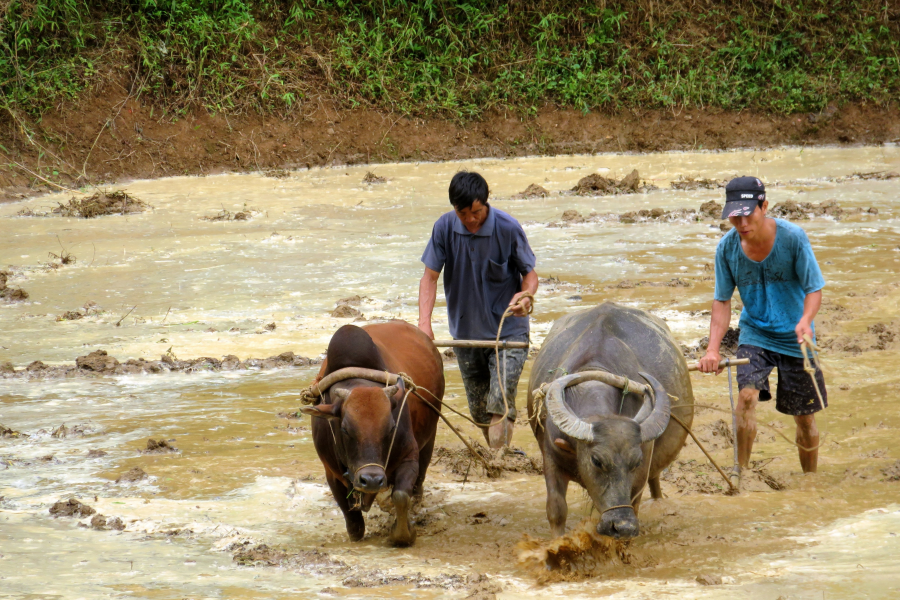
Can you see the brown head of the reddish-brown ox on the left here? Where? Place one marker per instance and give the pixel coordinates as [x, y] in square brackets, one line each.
[363, 418]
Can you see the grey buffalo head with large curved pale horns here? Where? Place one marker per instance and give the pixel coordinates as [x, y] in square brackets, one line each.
[608, 452]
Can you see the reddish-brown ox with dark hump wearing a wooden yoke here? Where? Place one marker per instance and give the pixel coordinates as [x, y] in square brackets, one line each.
[357, 419]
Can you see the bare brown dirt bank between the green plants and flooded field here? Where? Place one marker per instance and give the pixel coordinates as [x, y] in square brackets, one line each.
[110, 137]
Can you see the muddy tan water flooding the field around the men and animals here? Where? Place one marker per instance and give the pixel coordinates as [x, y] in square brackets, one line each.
[245, 476]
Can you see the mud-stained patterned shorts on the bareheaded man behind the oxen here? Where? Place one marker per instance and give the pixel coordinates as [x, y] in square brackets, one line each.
[478, 367]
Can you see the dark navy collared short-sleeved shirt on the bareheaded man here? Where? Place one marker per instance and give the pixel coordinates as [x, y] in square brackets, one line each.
[482, 272]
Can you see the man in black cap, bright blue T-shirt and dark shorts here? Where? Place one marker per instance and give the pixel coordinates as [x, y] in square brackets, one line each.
[772, 264]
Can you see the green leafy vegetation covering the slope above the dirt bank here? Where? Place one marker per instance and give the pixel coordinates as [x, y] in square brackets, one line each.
[454, 58]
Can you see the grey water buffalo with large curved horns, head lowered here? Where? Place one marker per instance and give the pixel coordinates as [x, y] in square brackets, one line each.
[594, 434]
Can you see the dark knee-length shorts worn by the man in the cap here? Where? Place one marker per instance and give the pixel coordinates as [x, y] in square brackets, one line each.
[796, 393]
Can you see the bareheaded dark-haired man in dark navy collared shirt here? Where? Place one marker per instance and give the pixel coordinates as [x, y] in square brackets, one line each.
[488, 266]
